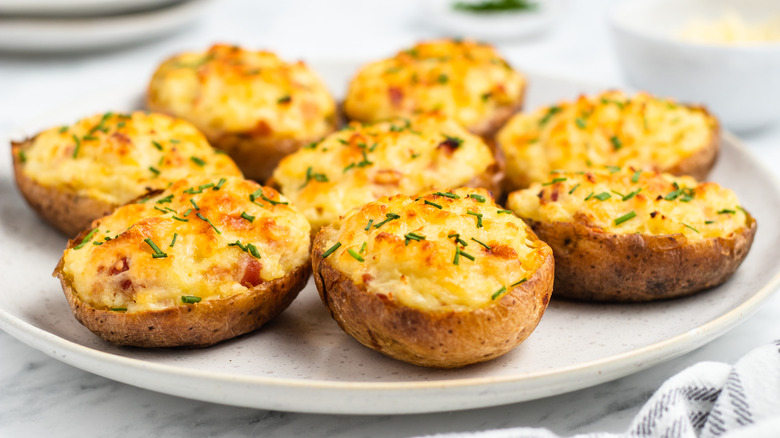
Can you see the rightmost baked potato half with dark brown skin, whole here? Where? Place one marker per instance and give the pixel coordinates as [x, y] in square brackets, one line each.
[628, 235]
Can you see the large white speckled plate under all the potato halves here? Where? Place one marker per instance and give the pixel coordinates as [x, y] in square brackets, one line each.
[303, 362]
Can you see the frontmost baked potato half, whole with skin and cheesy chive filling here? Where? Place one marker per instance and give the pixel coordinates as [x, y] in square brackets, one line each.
[443, 279]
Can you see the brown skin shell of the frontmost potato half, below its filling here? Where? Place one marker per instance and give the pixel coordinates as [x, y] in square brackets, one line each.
[446, 339]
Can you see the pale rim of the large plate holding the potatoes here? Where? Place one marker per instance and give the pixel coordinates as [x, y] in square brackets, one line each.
[319, 396]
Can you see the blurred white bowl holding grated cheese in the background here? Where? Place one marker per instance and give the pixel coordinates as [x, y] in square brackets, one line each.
[739, 84]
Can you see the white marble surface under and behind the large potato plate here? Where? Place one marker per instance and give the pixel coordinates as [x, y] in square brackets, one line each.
[40, 396]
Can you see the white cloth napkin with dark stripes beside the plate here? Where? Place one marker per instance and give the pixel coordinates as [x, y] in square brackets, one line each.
[707, 400]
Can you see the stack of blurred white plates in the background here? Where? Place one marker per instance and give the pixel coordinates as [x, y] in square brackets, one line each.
[78, 25]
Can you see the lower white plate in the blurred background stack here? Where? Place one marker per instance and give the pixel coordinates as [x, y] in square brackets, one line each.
[69, 34]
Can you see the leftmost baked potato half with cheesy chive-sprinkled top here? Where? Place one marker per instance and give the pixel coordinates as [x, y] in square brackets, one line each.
[71, 175]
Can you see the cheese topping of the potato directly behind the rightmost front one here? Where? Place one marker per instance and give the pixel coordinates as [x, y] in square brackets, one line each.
[609, 129]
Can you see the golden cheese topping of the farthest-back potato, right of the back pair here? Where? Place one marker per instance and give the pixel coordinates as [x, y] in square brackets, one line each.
[464, 80]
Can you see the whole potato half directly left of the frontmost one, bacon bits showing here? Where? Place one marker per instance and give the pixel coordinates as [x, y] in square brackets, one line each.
[205, 260]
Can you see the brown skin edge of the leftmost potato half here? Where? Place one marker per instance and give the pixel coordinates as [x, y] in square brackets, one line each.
[66, 211]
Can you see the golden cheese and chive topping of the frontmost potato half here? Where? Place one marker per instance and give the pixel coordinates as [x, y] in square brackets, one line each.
[408, 248]
